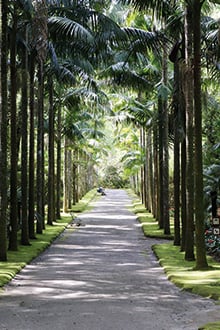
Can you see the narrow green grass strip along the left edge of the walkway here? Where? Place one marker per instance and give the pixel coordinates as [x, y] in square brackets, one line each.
[19, 259]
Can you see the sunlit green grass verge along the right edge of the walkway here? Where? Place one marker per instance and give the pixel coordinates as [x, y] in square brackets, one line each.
[178, 270]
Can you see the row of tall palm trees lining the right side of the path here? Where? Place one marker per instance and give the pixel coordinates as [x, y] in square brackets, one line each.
[183, 25]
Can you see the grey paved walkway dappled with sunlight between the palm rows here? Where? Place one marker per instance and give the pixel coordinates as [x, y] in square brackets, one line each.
[102, 276]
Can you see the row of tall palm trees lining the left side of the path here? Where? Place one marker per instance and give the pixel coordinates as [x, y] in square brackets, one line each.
[43, 55]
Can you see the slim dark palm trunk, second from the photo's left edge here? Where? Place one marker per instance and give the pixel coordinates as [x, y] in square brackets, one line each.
[13, 242]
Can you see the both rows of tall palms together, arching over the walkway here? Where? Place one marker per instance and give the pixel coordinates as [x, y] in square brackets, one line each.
[56, 56]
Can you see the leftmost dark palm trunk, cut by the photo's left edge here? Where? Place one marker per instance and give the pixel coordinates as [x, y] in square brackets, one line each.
[3, 131]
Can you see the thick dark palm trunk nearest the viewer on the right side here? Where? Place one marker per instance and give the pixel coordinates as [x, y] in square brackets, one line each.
[201, 261]
